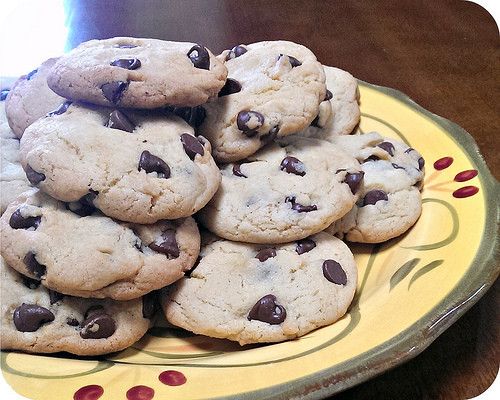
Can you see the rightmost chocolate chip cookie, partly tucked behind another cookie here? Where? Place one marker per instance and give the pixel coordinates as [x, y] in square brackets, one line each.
[390, 201]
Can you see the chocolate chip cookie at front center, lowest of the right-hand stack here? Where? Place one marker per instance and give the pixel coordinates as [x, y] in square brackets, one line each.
[263, 293]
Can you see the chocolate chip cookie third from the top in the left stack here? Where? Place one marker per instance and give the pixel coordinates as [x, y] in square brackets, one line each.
[74, 249]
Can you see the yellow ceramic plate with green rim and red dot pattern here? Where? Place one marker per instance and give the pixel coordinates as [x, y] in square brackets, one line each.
[410, 290]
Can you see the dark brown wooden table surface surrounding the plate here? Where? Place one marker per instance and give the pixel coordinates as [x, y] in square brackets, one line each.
[445, 55]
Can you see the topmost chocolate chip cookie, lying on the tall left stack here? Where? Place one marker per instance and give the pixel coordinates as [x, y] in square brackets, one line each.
[138, 73]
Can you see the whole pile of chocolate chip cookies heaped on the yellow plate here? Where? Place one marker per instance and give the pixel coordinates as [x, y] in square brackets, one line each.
[142, 176]
